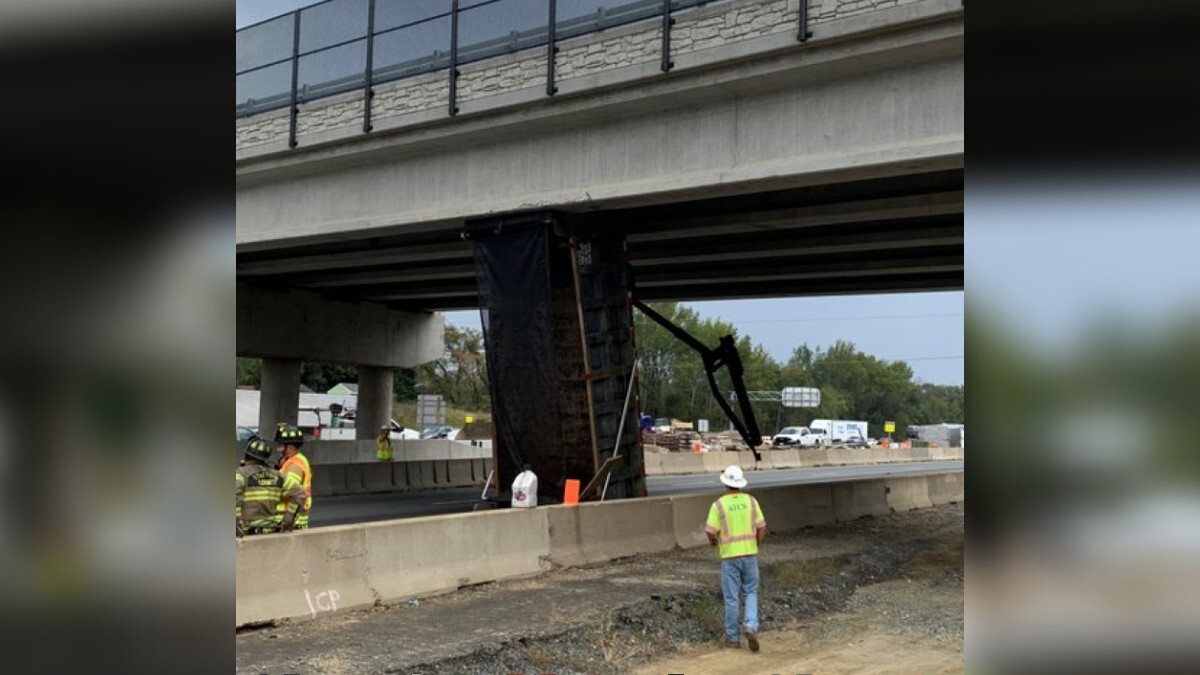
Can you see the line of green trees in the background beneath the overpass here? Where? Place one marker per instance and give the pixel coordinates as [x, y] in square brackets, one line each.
[673, 384]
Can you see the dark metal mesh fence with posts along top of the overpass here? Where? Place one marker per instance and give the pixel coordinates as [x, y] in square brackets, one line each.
[340, 46]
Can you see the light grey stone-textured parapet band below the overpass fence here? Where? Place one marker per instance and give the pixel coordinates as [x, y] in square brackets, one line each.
[586, 63]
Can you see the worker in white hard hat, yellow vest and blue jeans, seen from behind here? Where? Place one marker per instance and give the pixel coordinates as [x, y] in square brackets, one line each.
[736, 525]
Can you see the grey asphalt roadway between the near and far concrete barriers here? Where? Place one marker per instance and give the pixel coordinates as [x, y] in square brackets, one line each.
[365, 509]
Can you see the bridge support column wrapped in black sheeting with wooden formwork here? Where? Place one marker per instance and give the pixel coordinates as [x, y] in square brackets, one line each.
[559, 332]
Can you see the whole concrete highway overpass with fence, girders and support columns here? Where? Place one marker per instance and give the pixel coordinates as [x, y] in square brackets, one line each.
[460, 156]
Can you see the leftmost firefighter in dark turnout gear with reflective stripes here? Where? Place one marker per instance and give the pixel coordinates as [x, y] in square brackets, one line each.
[259, 493]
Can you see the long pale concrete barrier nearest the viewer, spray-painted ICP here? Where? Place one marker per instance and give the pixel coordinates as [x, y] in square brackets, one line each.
[303, 575]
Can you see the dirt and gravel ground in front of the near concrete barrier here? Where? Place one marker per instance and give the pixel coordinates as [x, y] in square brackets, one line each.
[879, 595]
